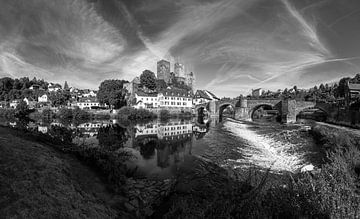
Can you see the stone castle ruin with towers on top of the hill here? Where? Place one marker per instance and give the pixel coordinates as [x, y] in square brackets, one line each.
[179, 76]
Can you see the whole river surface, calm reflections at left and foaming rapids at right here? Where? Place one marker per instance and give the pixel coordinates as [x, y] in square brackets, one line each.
[159, 147]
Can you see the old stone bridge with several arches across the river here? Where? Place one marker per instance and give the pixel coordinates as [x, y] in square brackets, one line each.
[244, 108]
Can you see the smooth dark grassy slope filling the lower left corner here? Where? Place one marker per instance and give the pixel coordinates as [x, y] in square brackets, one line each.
[37, 181]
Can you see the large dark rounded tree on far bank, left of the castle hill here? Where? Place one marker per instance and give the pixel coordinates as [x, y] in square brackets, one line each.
[111, 92]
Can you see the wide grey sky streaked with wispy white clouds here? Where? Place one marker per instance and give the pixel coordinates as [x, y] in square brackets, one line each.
[232, 46]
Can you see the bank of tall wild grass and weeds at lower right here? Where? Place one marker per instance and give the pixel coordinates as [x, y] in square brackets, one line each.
[332, 192]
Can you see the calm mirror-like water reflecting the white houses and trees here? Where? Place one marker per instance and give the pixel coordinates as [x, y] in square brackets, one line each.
[158, 146]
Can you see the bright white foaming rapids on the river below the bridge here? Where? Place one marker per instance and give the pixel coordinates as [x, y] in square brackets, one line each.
[263, 151]
